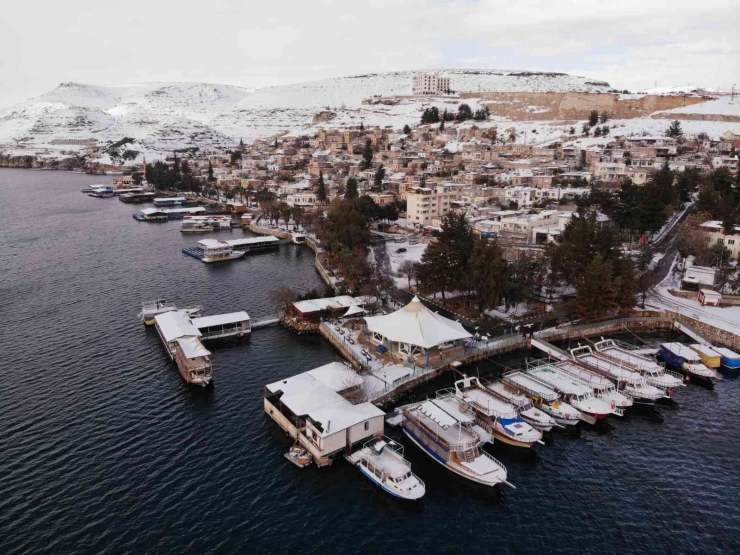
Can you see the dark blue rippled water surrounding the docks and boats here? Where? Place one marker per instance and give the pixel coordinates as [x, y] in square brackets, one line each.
[104, 450]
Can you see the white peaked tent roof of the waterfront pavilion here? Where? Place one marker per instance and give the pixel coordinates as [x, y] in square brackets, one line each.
[417, 325]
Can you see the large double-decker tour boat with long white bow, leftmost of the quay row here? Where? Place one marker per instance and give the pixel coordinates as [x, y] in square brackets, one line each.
[446, 436]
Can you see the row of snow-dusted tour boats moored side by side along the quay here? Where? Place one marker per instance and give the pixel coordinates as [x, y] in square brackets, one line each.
[517, 409]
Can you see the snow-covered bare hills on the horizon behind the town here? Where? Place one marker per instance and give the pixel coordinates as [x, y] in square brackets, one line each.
[164, 116]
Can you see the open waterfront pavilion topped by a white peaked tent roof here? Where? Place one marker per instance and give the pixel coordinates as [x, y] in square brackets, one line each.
[416, 335]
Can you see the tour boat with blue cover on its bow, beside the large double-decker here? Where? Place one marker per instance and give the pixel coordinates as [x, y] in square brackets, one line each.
[494, 414]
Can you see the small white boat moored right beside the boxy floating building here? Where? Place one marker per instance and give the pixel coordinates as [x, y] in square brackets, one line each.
[381, 460]
